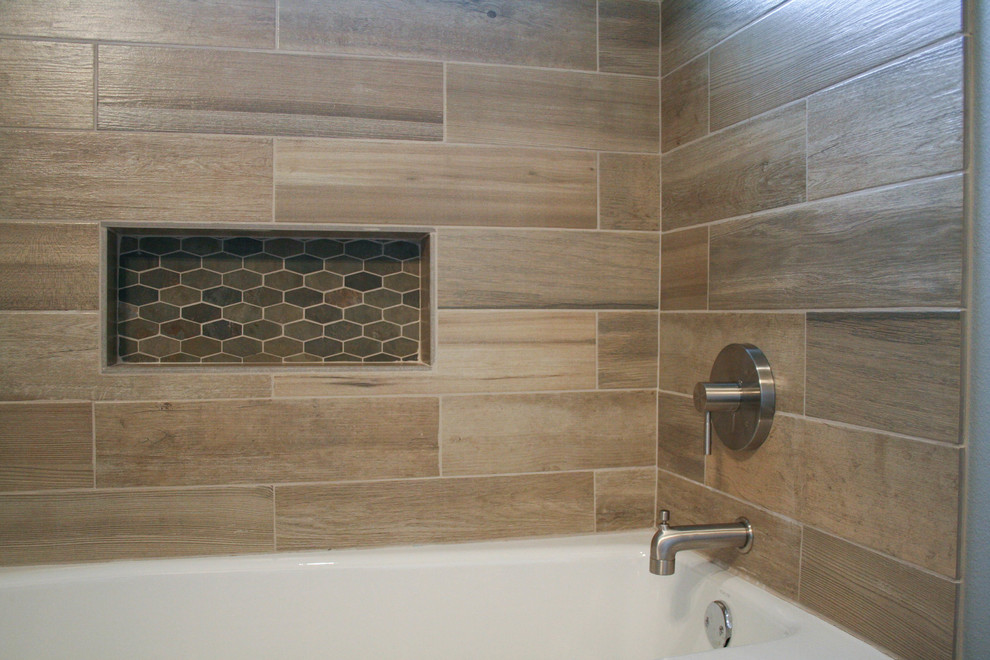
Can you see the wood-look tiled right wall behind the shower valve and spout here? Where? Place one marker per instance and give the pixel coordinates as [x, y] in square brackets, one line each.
[813, 171]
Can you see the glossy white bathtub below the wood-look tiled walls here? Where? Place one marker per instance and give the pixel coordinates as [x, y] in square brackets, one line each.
[587, 597]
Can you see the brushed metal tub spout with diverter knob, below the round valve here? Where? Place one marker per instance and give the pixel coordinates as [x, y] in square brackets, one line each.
[669, 540]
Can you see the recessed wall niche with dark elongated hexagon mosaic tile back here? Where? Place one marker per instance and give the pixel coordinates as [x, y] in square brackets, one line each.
[266, 297]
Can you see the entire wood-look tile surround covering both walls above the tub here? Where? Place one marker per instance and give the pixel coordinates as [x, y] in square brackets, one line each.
[802, 188]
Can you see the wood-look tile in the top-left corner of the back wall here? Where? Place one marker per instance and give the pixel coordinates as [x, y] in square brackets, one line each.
[246, 23]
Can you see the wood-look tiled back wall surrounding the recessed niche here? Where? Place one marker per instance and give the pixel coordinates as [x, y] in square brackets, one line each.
[526, 133]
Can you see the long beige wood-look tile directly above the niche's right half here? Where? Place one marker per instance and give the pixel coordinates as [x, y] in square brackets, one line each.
[428, 184]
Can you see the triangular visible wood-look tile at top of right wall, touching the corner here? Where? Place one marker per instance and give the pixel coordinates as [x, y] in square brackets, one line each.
[691, 28]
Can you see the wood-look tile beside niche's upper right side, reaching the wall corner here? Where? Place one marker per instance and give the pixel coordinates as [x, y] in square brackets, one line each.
[499, 268]
